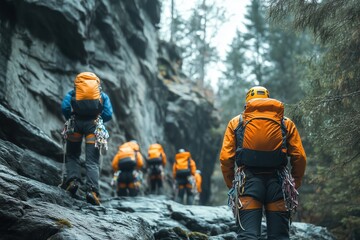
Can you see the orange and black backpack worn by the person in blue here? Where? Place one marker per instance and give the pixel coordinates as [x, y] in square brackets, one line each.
[87, 98]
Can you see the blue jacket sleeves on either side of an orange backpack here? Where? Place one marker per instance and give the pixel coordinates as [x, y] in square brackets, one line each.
[106, 113]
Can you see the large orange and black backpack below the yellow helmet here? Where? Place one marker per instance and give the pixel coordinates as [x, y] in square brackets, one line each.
[261, 134]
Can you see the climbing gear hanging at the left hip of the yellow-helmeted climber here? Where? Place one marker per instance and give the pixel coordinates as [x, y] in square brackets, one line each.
[237, 190]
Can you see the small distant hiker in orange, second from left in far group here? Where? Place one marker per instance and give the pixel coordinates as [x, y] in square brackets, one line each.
[156, 162]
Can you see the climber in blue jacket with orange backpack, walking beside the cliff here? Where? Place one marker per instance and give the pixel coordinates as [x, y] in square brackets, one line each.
[85, 107]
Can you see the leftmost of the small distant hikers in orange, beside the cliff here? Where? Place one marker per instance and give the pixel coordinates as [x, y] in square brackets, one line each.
[126, 164]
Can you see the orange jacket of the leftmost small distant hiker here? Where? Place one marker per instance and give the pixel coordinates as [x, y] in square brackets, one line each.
[127, 150]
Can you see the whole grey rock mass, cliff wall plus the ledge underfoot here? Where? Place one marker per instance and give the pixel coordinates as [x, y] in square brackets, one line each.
[43, 45]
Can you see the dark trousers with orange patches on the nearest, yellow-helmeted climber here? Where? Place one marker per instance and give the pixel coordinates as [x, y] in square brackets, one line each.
[263, 191]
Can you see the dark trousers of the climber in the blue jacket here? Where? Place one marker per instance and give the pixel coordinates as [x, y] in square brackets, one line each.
[83, 128]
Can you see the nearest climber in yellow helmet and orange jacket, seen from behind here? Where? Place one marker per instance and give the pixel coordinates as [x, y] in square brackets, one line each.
[258, 141]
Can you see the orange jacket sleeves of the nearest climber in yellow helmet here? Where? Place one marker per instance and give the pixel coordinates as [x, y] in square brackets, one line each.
[294, 149]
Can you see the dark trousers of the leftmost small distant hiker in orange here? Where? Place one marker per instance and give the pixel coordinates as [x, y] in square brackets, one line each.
[127, 184]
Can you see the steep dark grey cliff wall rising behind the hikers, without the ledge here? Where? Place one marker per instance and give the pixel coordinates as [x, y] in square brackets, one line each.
[45, 44]
